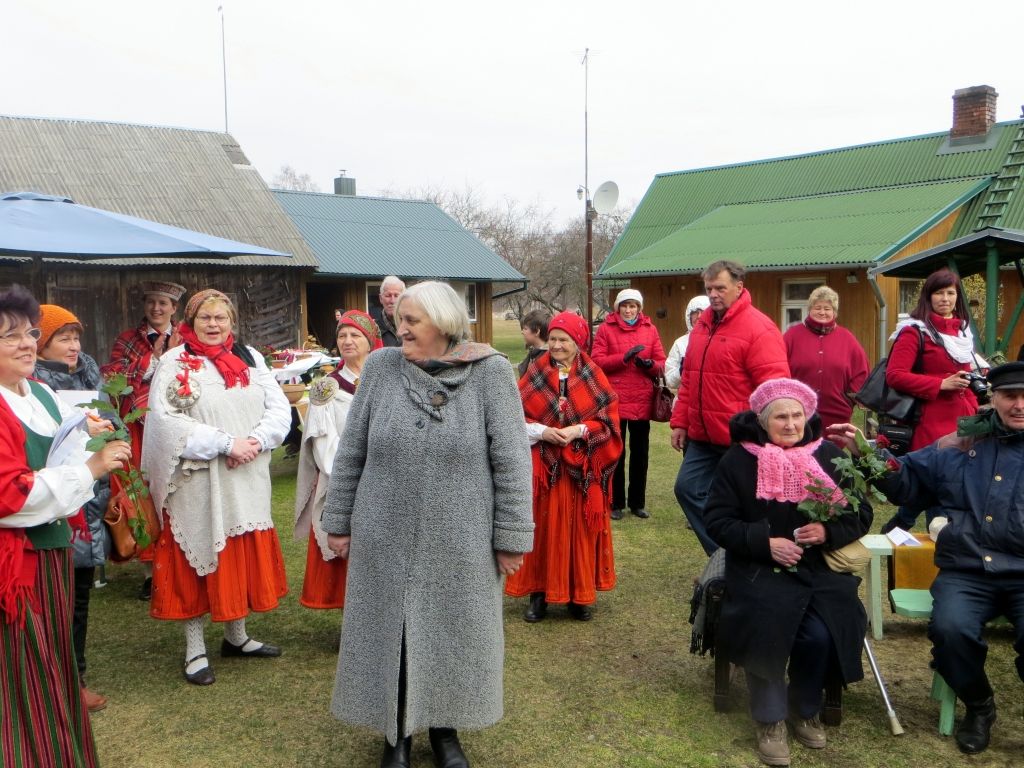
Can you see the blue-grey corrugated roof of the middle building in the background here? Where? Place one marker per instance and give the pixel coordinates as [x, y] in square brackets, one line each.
[373, 237]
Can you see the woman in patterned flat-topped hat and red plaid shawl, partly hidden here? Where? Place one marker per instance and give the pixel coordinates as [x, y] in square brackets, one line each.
[136, 355]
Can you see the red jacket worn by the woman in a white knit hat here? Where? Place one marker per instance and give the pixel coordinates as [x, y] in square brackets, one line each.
[634, 387]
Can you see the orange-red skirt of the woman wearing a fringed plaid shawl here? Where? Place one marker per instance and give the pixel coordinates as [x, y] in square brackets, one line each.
[570, 562]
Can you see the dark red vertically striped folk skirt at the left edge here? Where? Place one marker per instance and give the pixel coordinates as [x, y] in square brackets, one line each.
[44, 723]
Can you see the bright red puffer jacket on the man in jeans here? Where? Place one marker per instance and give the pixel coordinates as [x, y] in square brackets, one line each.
[724, 363]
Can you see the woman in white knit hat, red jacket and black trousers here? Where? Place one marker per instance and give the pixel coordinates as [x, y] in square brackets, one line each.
[628, 350]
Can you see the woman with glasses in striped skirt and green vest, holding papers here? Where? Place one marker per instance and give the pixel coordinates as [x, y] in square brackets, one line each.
[44, 720]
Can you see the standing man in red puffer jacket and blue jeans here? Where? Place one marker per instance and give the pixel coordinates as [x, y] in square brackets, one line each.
[734, 349]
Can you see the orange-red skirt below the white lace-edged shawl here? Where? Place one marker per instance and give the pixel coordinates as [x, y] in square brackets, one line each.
[250, 576]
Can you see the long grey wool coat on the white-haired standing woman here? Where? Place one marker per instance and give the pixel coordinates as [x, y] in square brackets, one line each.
[429, 494]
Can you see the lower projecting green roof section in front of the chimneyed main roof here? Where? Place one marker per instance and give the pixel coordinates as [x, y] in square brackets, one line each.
[850, 230]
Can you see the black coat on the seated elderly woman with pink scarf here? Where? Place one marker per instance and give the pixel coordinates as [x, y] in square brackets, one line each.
[766, 603]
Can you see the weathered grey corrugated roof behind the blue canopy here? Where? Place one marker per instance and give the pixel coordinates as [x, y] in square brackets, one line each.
[176, 177]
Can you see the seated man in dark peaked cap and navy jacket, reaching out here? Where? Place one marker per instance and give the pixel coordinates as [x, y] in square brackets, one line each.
[976, 479]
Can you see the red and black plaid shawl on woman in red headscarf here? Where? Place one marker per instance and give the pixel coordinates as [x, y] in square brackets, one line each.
[592, 402]
